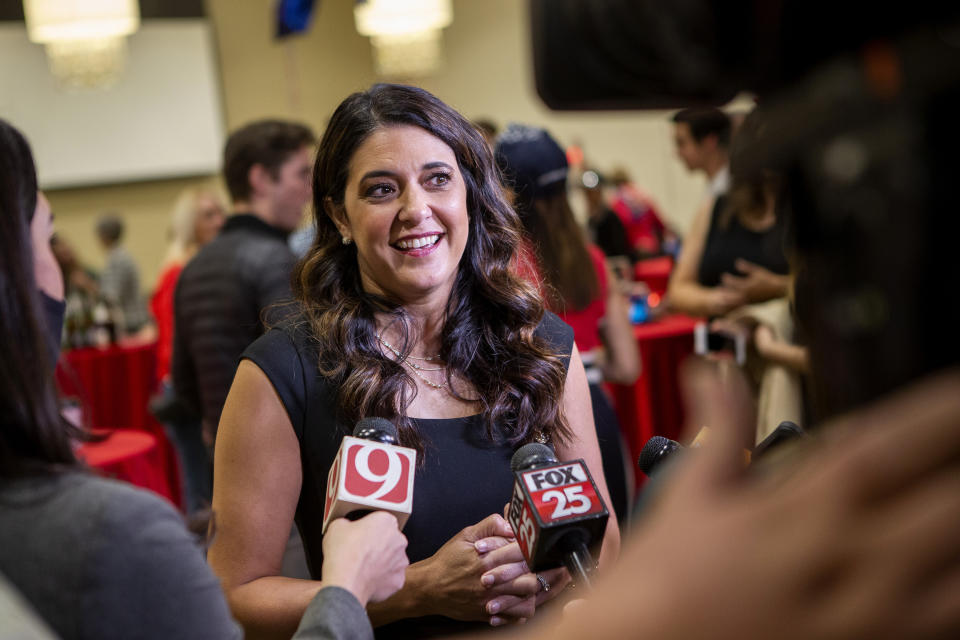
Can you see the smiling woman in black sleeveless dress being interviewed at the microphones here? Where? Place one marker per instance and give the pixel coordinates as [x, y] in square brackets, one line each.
[409, 309]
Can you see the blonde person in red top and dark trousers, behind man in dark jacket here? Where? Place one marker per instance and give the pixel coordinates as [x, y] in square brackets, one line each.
[197, 217]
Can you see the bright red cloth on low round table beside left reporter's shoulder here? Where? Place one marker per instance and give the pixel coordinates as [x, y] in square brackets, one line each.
[132, 456]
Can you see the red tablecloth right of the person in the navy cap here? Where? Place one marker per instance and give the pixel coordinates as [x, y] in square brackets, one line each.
[652, 405]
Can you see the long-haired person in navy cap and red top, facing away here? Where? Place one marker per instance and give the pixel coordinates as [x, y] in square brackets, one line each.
[577, 284]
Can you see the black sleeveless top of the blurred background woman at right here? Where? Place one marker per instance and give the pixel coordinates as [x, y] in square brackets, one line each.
[724, 245]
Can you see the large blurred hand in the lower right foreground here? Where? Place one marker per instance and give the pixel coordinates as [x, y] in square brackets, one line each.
[858, 540]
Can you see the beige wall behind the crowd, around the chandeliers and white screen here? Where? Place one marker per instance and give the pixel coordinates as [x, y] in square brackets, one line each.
[488, 73]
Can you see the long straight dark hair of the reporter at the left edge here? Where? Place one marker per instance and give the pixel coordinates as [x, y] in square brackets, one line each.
[33, 436]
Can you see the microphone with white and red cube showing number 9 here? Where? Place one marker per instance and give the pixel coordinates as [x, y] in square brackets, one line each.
[370, 473]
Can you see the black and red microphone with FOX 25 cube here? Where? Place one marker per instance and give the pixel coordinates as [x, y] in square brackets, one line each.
[556, 511]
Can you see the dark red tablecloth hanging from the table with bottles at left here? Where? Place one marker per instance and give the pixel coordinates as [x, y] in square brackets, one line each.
[114, 386]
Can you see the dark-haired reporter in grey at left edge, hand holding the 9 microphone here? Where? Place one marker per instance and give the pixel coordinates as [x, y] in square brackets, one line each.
[98, 558]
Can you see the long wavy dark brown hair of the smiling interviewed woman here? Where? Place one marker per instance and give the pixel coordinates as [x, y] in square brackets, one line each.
[488, 334]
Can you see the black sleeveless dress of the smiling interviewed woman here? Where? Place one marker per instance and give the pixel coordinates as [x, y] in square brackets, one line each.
[464, 477]
